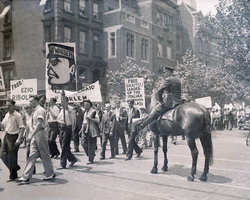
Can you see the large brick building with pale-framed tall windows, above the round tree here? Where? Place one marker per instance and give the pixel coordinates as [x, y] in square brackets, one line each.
[143, 31]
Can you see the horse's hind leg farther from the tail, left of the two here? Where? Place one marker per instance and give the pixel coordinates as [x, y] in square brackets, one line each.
[194, 152]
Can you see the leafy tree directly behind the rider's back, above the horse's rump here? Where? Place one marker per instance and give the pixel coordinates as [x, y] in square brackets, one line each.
[199, 80]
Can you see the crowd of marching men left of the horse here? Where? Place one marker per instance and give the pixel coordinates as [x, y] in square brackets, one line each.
[81, 123]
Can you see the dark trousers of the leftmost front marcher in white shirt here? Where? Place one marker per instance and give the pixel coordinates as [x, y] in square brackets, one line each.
[9, 154]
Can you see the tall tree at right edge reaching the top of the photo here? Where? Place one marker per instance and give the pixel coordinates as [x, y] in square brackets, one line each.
[231, 24]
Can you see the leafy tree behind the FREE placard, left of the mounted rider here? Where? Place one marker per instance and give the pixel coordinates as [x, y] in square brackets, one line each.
[128, 69]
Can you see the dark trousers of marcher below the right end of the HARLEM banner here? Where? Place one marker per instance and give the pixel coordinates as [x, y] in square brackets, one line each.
[89, 145]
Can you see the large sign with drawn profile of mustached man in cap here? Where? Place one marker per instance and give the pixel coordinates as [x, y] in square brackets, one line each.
[60, 67]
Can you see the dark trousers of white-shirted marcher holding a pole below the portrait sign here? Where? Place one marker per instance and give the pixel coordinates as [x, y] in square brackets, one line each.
[65, 138]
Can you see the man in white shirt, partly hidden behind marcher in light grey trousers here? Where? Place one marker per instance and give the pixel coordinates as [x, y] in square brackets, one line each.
[53, 112]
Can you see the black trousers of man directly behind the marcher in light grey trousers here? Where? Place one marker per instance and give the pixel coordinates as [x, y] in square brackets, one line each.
[54, 131]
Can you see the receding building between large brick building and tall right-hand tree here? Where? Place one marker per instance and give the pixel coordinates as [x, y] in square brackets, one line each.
[199, 39]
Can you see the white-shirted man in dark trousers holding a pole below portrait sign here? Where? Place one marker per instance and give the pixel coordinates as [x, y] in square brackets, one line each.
[66, 120]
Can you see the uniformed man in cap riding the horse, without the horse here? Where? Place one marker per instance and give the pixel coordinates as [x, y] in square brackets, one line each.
[172, 87]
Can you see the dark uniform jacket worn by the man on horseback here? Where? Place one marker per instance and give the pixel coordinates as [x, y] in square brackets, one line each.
[172, 86]
